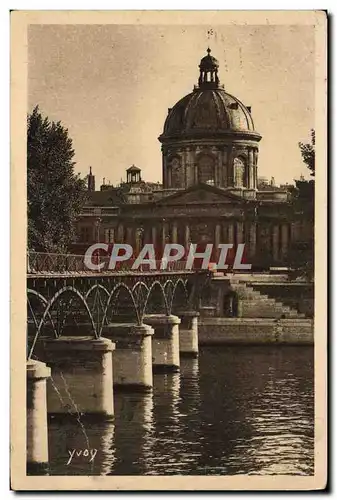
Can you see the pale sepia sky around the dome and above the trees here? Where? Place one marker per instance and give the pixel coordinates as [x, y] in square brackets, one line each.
[111, 86]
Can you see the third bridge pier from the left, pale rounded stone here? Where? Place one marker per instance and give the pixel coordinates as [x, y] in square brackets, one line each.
[132, 360]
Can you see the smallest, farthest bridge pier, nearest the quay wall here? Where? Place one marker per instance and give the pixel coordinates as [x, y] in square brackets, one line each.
[188, 334]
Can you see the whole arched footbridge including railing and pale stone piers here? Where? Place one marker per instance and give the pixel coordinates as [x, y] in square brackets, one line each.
[90, 333]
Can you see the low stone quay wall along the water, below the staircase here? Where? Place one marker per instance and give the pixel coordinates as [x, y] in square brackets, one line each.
[215, 331]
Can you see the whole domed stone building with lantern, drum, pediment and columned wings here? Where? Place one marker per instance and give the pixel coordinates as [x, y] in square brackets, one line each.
[209, 191]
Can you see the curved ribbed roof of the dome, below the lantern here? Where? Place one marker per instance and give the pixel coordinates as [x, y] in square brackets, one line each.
[210, 110]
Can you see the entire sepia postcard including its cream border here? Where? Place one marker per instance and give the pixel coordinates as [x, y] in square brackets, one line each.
[167, 215]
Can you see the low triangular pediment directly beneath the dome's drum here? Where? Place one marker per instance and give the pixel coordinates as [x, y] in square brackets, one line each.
[200, 195]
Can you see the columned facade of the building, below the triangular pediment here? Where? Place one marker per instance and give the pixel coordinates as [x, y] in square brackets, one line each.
[265, 241]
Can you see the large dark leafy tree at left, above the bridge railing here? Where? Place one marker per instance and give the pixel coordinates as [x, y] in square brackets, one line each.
[55, 193]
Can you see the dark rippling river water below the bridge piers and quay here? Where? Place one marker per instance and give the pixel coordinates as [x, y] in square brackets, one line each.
[235, 410]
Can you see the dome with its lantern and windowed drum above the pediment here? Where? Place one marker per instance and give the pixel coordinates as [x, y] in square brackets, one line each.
[209, 137]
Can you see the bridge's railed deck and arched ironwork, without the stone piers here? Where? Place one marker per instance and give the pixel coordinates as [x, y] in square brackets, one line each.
[62, 292]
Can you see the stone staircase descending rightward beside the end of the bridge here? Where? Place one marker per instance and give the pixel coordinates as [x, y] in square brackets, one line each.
[253, 304]
